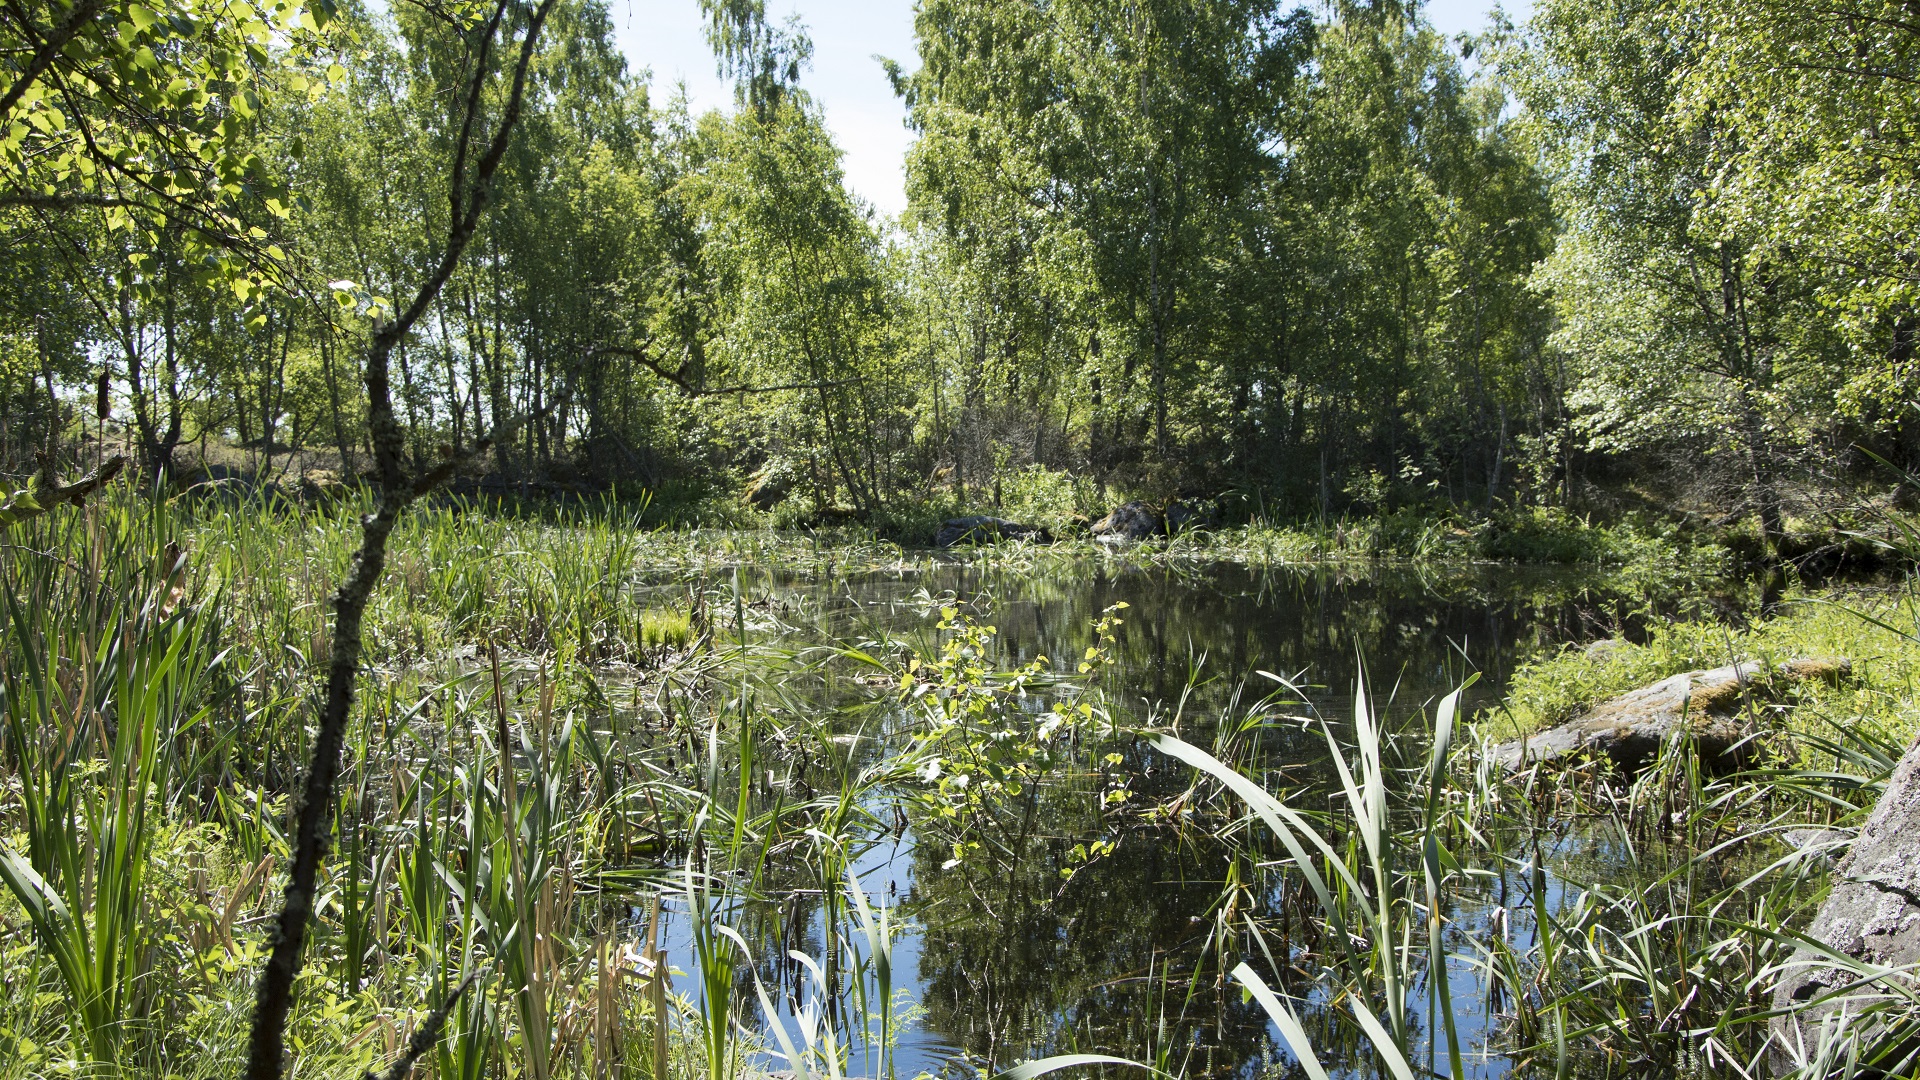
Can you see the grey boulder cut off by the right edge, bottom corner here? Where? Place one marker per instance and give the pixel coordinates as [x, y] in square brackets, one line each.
[1871, 916]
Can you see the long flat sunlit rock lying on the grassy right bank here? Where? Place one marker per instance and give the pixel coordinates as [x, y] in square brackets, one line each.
[1633, 727]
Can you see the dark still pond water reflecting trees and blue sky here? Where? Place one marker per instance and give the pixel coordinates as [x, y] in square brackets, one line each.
[1040, 950]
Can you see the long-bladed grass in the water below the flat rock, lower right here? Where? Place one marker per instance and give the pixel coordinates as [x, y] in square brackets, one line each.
[1635, 929]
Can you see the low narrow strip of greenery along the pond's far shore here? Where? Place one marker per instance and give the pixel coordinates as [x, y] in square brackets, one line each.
[1838, 541]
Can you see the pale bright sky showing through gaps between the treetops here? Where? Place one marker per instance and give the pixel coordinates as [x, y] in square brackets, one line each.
[867, 120]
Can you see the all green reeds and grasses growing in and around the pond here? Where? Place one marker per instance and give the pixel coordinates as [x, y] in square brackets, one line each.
[667, 747]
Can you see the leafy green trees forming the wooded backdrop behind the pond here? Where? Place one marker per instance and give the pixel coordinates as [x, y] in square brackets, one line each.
[1318, 260]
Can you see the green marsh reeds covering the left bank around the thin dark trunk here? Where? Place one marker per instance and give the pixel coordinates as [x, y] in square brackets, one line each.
[156, 683]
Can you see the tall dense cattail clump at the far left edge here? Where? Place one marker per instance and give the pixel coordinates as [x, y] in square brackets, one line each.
[103, 702]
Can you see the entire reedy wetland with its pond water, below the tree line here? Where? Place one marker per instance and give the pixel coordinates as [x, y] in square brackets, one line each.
[898, 812]
